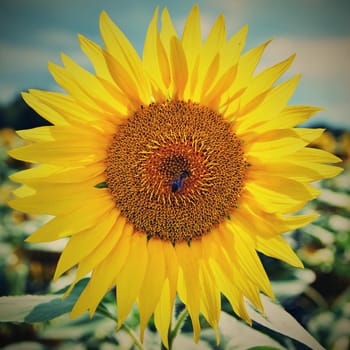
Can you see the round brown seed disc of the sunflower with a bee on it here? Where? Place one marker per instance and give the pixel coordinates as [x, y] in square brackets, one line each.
[175, 170]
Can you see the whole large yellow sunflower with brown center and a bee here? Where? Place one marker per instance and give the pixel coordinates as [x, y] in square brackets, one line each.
[170, 172]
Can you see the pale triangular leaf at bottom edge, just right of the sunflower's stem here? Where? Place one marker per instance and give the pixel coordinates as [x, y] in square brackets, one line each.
[238, 335]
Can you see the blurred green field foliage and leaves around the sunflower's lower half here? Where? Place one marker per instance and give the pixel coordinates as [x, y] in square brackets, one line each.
[318, 297]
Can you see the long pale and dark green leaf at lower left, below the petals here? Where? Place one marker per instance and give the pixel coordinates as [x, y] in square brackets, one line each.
[38, 308]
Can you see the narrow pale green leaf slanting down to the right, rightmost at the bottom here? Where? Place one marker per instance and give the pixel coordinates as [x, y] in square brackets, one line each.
[280, 321]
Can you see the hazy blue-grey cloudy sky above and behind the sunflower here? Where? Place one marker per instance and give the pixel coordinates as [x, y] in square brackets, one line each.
[33, 32]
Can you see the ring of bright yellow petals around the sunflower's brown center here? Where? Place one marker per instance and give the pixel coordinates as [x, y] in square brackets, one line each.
[151, 273]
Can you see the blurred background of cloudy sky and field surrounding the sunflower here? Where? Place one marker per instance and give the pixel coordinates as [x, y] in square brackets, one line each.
[33, 32]
